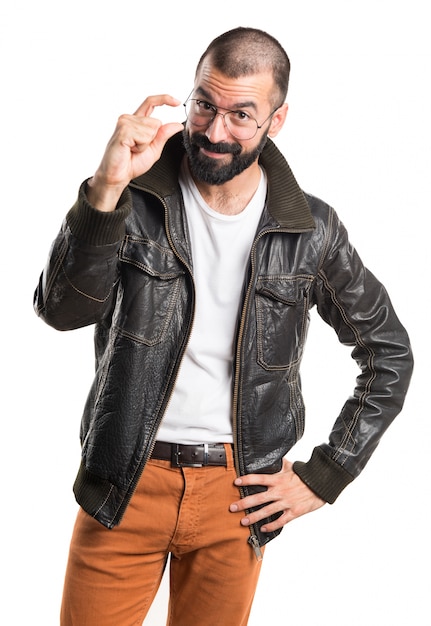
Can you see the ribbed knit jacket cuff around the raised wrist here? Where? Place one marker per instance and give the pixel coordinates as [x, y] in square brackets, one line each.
[95, 227]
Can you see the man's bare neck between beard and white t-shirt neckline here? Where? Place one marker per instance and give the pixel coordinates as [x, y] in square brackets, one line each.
[232, 197]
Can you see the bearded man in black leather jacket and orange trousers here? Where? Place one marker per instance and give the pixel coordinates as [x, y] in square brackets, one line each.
[198, 257]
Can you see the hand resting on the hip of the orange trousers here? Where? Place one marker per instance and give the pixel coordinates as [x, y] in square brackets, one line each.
[285, 493]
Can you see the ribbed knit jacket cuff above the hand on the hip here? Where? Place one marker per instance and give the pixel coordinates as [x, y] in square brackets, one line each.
[323, 475]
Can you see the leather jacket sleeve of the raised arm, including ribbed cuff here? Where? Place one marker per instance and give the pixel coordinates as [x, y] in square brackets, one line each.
[77, 286]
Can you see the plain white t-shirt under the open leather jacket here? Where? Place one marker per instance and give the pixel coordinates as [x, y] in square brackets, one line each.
[200, 407]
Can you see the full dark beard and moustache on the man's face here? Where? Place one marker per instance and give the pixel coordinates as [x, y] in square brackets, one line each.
[210, 171]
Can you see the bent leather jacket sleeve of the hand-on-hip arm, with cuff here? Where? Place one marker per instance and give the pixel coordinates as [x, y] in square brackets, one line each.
[357, 306]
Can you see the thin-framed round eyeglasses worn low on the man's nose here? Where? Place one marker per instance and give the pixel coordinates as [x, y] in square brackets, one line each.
[239, 123]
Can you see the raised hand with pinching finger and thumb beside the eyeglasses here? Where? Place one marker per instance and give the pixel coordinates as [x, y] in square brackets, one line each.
[135, 146]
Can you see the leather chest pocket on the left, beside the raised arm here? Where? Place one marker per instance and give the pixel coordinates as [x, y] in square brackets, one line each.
[151, 287]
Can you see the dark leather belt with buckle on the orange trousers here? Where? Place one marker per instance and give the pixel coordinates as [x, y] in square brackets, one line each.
[181, 455]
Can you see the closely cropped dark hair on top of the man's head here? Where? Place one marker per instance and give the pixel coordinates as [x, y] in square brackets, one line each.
[244, 51]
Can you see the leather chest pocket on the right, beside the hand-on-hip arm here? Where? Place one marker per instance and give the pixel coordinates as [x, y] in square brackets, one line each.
[282, 304]
